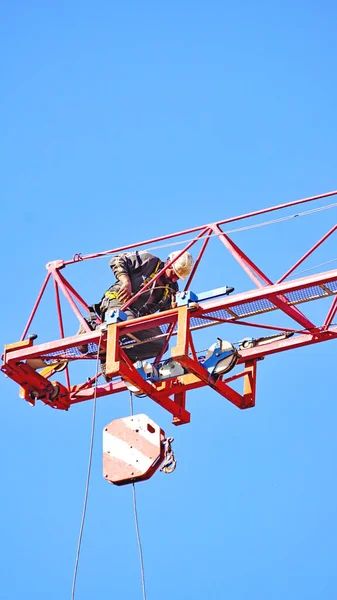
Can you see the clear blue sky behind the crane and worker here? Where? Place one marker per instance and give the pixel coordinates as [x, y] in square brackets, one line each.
[120, 122]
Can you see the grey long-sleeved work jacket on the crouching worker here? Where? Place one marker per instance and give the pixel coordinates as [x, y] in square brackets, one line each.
[141, 267]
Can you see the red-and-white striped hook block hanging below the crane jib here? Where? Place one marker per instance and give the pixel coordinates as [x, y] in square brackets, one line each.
[133, 449]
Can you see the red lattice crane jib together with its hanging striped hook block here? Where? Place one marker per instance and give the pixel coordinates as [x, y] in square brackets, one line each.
[168, 380]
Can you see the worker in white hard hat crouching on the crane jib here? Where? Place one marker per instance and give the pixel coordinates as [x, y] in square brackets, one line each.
[133, 271]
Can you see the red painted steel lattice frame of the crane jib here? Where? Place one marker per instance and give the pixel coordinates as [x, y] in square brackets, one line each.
[171, 394]
